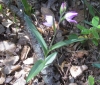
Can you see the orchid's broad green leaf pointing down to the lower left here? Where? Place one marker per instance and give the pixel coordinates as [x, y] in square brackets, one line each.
[37, 67]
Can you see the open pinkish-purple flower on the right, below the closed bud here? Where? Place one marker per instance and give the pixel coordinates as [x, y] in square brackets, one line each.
[70, 15]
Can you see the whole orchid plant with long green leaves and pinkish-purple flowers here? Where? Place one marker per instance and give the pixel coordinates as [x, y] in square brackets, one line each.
[48, 55]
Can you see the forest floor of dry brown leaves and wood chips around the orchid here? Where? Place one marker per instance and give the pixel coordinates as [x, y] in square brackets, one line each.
[17, 55]
